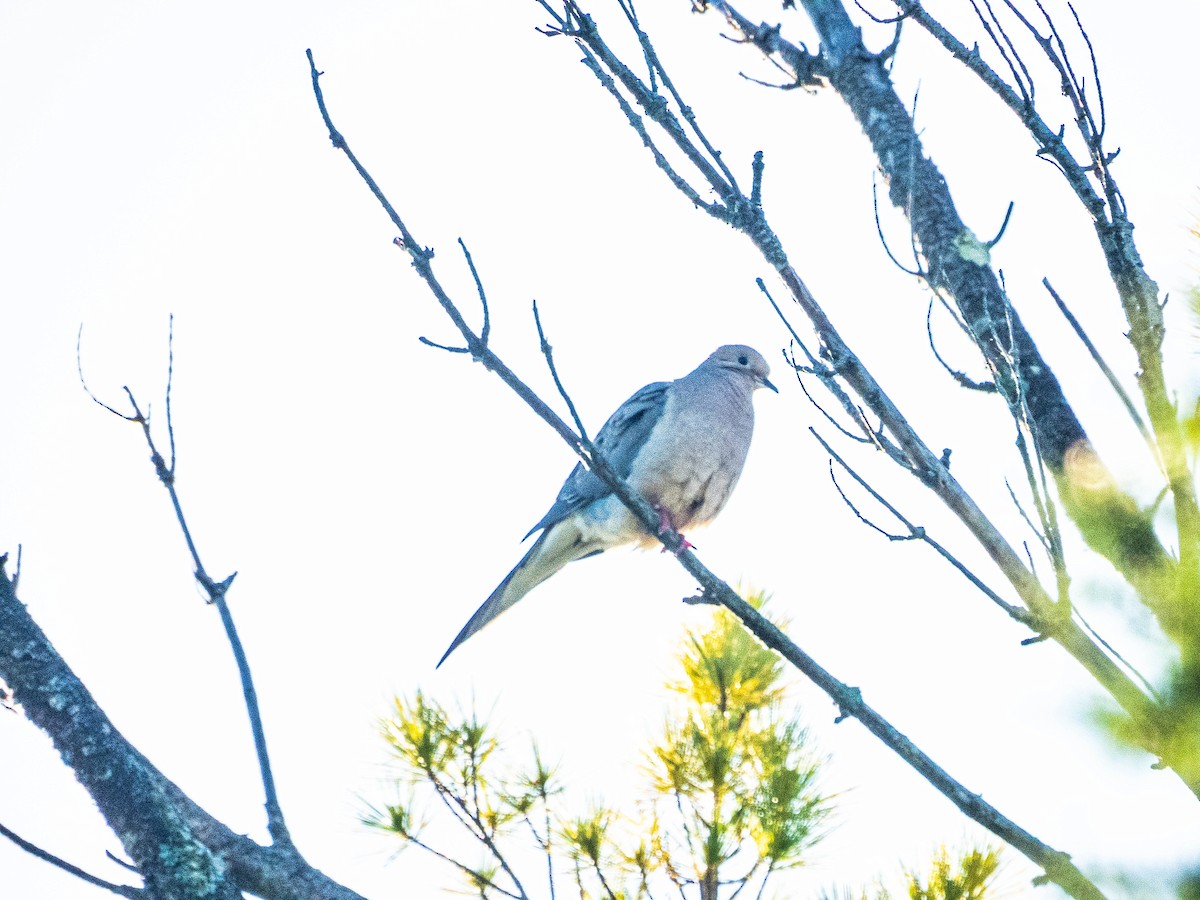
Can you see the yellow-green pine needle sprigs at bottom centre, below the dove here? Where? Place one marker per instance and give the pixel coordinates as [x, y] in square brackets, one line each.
[733, 788]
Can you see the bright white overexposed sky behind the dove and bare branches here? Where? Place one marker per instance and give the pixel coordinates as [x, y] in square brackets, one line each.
[371, 493]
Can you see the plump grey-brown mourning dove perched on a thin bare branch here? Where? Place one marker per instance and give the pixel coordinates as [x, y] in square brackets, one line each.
[680, 445]
